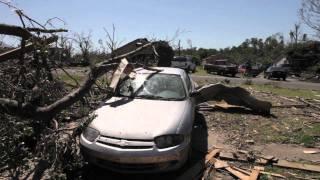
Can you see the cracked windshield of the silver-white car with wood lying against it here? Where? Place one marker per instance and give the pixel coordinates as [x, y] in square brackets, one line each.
[153, 86]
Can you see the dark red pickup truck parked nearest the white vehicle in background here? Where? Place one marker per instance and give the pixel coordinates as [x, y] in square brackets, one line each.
[221, 67]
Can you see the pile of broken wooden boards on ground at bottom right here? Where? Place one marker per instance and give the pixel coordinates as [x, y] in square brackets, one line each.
[217, 159]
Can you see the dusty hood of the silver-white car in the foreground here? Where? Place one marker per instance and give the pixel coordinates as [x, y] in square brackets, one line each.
[127, 118]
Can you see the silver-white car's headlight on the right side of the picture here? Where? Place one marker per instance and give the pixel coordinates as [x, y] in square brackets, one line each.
[168, 140]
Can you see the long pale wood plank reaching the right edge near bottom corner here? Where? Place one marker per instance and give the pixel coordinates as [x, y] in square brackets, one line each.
[295, 165]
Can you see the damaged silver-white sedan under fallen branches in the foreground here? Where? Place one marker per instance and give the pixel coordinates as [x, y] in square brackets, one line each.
[146, 126]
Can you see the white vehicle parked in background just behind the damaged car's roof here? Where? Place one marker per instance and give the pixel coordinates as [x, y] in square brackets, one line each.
[184, 62]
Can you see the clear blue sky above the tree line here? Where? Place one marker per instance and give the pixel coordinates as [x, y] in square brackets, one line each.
[207, 23]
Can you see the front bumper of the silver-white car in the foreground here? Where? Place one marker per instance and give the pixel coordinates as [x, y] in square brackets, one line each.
[135, 160]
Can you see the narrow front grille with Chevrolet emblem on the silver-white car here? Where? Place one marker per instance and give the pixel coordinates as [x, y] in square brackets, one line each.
[126, 143]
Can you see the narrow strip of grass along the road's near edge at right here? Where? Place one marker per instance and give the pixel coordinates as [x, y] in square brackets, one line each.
[308, 94]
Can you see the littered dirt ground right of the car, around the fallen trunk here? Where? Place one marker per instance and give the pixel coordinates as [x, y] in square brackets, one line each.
[285, 134]
